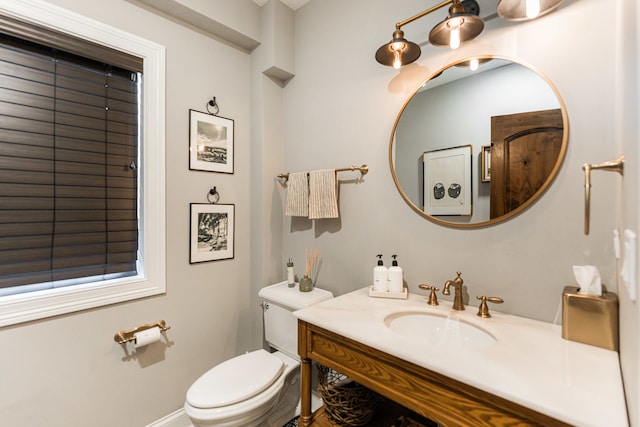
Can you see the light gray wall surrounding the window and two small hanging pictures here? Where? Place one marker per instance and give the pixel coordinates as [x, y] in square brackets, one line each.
[68, 371]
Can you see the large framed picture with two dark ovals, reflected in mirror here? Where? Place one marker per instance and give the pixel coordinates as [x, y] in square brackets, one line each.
[447, 181]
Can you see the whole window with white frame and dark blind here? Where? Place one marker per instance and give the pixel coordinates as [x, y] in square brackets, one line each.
[81, 138]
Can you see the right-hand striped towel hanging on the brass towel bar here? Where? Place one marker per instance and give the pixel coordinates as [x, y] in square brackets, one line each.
[323, 194]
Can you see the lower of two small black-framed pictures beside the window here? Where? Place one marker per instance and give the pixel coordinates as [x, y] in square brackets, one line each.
[212, 232]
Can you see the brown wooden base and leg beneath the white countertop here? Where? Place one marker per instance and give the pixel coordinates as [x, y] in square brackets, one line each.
[430, 394]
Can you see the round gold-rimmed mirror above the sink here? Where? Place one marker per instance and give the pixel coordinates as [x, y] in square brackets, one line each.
[478, 142]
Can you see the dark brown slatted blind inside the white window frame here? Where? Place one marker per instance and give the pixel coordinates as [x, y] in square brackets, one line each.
[68, 166]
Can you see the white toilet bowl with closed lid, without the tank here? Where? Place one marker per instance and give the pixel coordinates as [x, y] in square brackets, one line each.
[254, 389]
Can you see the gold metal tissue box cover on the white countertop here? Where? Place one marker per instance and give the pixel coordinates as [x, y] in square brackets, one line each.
[590, 319]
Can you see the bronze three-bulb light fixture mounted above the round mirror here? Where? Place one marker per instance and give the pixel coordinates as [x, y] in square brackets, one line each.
[462, 24]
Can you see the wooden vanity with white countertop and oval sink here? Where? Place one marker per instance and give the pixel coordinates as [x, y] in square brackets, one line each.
[509, 371]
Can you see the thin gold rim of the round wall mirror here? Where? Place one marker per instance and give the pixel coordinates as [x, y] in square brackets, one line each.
[534, 197]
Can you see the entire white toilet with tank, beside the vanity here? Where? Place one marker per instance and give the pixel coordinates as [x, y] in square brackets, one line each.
[258, 388]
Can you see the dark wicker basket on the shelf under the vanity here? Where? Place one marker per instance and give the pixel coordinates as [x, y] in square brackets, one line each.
[346, 403]
